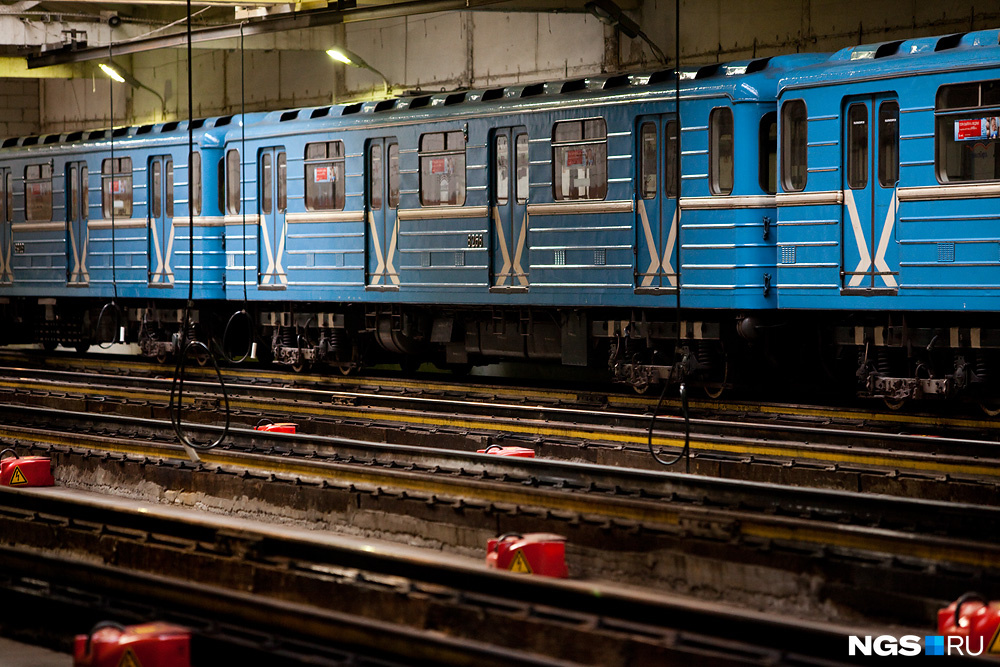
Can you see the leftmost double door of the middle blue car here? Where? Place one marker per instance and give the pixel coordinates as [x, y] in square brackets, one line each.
[272, 202]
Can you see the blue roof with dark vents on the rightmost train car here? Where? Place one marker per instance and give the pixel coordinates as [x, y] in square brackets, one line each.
[899, 58]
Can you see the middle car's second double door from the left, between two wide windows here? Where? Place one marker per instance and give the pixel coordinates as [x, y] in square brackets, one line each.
[382, 200]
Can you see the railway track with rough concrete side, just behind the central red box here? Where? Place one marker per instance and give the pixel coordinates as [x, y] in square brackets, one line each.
[819, 553]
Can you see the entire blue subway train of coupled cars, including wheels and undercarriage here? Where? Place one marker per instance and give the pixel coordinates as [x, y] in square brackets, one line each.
[802, 215]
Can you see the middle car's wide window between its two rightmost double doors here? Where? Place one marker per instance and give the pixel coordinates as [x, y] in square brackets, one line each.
[580, 159]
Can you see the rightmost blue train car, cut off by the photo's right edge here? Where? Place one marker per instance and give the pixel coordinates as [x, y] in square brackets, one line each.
[888, 212]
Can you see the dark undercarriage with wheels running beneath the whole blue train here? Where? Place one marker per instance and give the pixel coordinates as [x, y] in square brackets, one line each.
[894, 357]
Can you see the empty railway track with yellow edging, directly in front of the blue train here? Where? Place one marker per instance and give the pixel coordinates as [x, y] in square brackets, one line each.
[803, 446]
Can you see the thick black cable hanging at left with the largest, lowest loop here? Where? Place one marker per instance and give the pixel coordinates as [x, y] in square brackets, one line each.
[185, 346]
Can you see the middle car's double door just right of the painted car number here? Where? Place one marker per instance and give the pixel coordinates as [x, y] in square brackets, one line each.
[509, 209]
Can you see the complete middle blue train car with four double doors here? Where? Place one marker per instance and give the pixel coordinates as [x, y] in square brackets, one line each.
[527, 222]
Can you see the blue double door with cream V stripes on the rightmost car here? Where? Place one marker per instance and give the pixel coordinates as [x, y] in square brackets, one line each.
[871, 171]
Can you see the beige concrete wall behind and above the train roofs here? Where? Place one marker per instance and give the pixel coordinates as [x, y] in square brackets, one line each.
[481, 49]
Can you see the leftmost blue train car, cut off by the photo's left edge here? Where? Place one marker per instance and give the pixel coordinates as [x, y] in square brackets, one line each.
[95, 218]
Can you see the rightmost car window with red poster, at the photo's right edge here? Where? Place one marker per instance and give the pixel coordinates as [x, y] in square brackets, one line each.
[967, 132]
